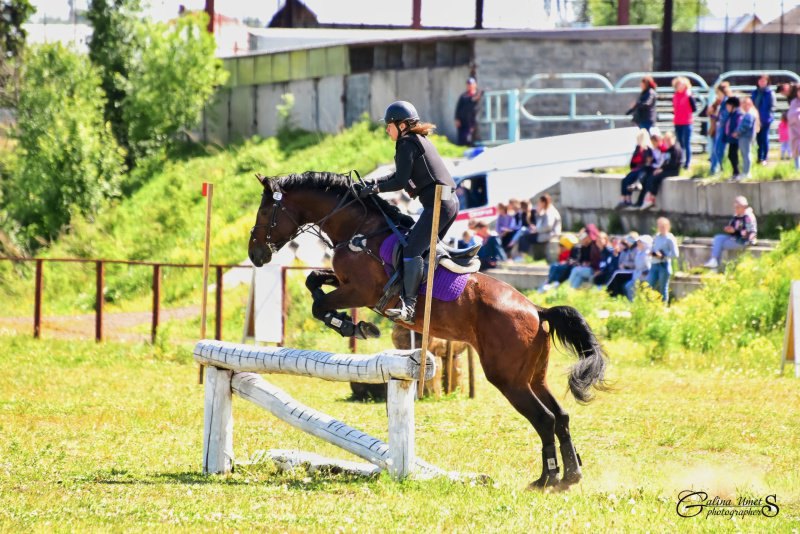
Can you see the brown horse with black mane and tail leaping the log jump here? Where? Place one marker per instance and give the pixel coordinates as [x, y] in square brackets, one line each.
[511, 334]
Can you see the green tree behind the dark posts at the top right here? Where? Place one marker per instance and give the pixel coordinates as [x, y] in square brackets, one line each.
[685, 13]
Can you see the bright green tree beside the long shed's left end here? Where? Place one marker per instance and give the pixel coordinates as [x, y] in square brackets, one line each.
[170, 78]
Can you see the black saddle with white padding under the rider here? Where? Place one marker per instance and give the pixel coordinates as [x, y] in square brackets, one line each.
[458, 261]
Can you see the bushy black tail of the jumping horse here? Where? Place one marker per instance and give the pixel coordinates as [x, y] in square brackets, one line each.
[569, 327]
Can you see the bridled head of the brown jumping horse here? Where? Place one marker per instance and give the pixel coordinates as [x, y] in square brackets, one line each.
[275, 224]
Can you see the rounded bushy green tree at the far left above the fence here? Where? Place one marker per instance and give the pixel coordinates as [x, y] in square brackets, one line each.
[67, 161]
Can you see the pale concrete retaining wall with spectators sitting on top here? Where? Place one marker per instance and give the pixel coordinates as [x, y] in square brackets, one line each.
[693, 209]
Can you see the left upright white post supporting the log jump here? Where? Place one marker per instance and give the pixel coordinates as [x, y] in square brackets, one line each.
[218, 422]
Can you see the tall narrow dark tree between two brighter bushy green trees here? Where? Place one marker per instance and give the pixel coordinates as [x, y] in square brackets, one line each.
[111, 46]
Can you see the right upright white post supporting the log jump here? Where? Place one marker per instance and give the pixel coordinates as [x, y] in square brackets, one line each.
[400, 408]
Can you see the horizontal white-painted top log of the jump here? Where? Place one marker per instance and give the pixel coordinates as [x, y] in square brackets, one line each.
[369, 368]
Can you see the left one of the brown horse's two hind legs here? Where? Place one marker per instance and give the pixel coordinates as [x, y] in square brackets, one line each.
[531, 407]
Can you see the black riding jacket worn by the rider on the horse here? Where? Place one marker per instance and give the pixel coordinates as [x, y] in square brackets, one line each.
[418, 167]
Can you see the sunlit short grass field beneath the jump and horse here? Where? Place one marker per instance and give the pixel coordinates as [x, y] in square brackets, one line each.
[108, 437]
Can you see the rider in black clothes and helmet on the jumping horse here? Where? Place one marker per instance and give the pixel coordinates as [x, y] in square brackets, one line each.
[418, 169]
